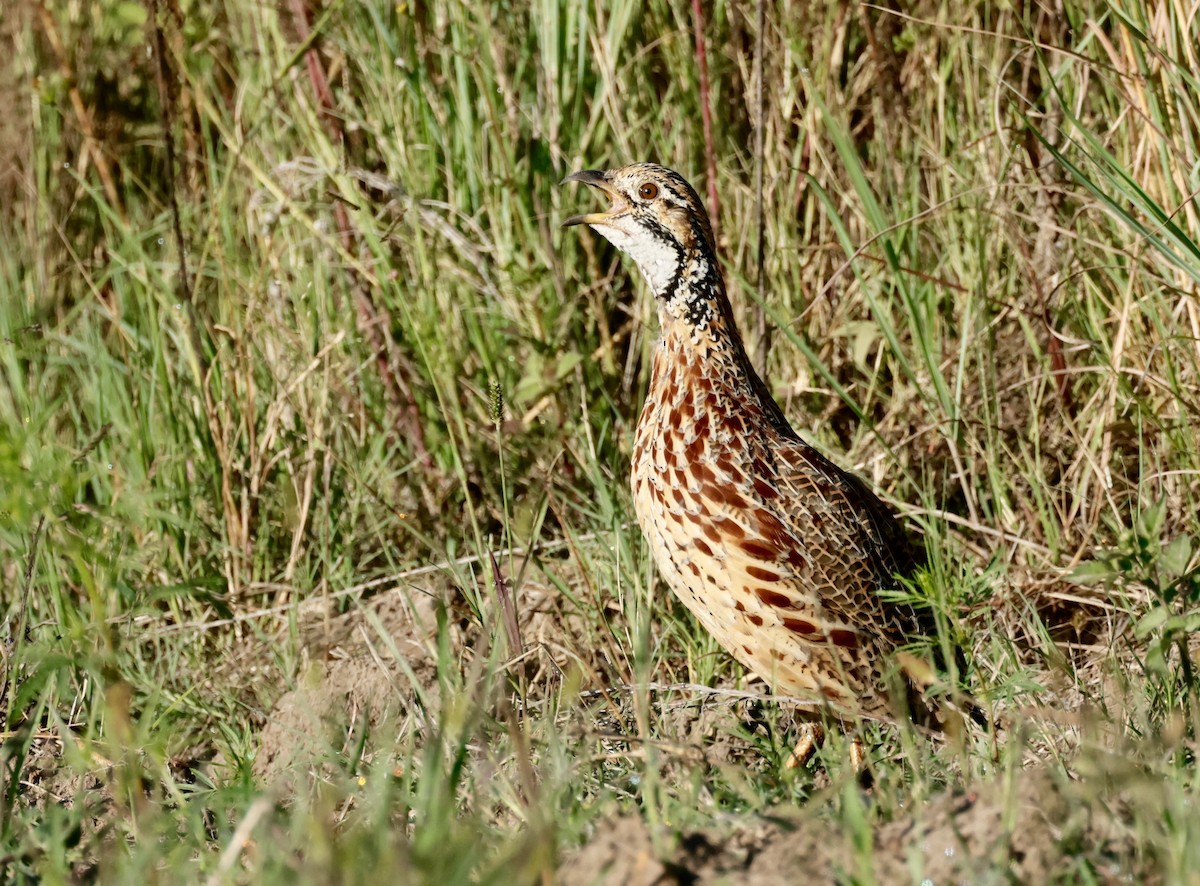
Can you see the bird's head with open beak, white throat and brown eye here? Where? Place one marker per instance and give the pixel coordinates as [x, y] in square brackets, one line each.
[656, 218]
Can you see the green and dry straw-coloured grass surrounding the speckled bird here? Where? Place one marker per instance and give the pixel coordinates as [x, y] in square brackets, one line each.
[289, 327]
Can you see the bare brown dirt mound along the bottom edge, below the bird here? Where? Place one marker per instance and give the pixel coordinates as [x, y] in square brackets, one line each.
[1019, 831]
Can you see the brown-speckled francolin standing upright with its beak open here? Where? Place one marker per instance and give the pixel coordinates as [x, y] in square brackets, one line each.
[777, 552]
